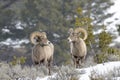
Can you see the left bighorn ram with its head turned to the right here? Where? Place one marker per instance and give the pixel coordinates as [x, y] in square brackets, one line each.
[43, 49]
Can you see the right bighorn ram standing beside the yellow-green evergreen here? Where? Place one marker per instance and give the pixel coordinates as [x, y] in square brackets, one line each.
[78, 47]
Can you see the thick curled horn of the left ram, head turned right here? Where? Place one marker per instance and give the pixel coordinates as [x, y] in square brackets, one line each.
[34, 36]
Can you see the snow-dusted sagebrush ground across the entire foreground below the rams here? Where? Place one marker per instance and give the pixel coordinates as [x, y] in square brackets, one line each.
[105, 71]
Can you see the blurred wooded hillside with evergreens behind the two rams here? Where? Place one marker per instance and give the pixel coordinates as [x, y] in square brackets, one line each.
[18, 18]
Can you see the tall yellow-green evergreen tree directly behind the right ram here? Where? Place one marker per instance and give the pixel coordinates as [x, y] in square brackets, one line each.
[85, 22]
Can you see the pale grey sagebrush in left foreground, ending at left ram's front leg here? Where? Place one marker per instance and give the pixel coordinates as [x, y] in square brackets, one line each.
[8, 72]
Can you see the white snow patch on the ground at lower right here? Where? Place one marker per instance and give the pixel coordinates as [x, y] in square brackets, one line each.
[100, 69]
